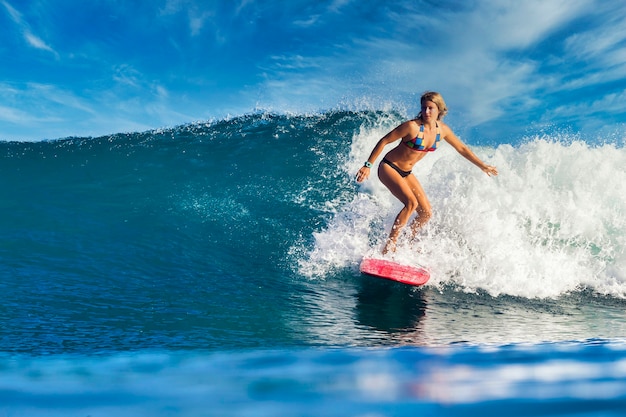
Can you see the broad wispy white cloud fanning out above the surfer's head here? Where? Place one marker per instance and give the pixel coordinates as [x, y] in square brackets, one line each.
[475, 56]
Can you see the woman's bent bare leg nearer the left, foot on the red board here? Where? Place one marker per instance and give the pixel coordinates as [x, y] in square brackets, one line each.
[402, 189]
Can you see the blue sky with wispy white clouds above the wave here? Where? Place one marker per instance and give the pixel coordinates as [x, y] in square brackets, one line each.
[505, 67]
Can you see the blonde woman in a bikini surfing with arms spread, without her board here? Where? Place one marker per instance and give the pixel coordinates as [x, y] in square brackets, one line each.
[418, 137]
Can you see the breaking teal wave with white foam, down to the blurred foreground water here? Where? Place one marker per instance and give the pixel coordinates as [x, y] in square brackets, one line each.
[248, 232]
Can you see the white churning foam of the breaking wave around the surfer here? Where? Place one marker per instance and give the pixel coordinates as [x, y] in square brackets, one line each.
[552, 222]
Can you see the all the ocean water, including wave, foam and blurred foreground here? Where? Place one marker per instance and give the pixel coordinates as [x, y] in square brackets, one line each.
[212, 269]
